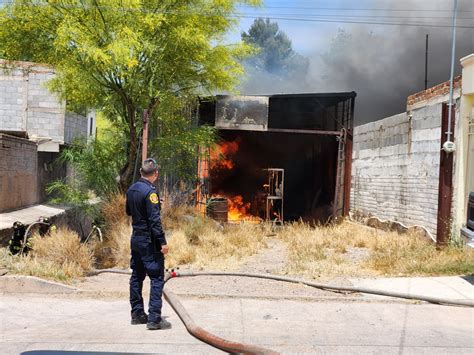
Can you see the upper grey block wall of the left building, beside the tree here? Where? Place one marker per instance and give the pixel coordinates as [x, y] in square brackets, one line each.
[26, 104]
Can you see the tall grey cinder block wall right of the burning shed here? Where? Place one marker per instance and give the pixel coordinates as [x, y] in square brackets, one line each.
[396, 167]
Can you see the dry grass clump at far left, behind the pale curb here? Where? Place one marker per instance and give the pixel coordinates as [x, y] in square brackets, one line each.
[59, 256]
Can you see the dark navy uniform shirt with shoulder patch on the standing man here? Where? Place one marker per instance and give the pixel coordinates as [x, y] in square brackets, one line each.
[143, 204]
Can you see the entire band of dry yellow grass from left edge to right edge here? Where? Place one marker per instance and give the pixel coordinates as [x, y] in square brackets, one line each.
[345, 249]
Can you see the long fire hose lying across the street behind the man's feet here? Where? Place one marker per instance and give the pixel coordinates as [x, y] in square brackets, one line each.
[234, 347]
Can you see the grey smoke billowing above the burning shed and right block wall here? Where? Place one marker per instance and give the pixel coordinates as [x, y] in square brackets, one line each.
[383, 64]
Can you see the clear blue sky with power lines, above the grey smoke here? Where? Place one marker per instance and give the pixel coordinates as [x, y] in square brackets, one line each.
[308, 37]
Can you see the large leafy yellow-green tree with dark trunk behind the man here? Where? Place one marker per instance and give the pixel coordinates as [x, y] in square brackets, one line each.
[124, 56]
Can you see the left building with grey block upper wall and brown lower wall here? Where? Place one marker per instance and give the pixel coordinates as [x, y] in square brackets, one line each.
[34, 127]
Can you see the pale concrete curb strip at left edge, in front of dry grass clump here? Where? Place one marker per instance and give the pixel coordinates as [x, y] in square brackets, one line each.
[31, 284]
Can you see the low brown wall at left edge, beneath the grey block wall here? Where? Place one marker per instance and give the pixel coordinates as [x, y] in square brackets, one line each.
[18, 172]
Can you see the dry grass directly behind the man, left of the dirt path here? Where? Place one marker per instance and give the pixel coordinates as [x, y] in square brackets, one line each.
[193, 239]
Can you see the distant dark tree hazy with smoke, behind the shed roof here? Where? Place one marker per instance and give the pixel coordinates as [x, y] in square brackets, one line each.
[276, 55]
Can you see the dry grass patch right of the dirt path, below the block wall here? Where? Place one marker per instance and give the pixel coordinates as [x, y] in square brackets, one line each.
[349, 249]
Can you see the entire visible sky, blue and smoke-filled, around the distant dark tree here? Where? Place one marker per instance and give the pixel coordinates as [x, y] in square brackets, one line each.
[382, 63]
